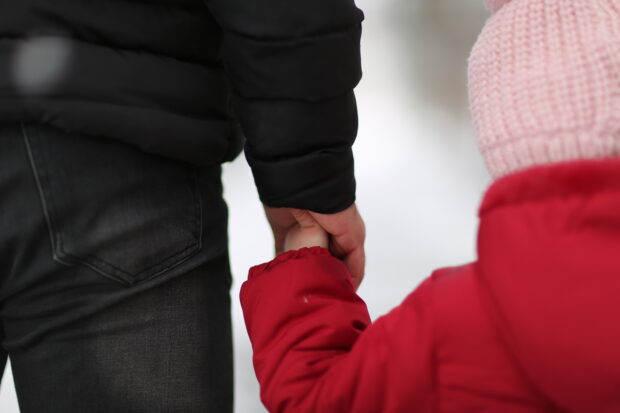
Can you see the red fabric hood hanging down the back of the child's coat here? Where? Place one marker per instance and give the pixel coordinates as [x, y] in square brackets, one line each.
[549, 260]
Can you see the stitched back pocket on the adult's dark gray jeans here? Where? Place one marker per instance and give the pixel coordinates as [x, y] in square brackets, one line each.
[126, 214]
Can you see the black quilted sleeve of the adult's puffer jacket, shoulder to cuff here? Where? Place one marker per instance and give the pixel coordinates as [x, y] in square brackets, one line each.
[293, 65]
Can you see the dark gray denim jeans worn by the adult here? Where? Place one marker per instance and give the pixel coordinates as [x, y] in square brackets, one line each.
[114, 277]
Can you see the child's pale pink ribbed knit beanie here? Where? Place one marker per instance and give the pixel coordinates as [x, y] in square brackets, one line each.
[544, 81]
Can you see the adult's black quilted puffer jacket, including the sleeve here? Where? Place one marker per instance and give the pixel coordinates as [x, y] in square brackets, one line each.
[165, 75]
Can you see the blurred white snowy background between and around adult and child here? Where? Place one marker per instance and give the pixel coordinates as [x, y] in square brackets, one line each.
[419, 175]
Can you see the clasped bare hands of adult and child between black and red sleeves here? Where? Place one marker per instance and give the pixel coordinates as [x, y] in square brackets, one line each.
[345, 229]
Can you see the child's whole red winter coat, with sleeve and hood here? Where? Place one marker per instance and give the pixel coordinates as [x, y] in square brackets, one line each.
[532, 326]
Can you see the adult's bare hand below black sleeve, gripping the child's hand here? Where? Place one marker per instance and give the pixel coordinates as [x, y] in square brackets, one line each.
[346, 229]
